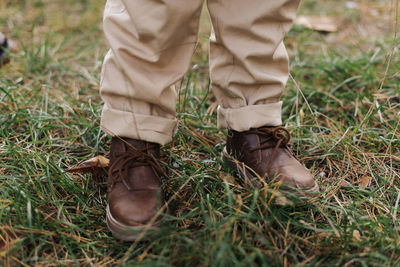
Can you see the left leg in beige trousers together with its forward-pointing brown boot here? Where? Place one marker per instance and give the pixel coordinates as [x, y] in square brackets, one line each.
[152, 43]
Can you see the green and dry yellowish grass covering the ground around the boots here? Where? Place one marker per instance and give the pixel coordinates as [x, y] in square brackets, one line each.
[345, 128]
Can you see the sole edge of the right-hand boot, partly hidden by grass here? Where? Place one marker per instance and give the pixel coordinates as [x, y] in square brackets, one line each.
[250, 178]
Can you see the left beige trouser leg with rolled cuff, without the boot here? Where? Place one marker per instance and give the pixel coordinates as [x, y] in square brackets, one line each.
[152, 43]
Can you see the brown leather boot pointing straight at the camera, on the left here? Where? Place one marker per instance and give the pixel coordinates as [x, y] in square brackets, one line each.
[134, 186]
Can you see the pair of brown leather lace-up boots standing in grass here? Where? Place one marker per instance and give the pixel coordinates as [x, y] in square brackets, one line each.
[135, 196]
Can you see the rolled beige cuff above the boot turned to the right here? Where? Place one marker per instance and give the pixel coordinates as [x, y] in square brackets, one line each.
[254, 116]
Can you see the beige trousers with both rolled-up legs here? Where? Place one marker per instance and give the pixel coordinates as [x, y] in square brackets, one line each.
[152, 42]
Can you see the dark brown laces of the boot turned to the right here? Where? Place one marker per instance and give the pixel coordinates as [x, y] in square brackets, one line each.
[274, 137]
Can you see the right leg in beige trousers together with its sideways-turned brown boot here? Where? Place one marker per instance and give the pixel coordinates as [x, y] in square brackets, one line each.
[249, 71]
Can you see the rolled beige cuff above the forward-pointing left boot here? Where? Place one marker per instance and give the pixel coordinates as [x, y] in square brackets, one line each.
[148, 128]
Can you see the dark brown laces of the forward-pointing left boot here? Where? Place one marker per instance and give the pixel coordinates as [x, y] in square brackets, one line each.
[131, 159]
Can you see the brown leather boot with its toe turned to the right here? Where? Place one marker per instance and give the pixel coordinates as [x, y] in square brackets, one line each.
[262, 155]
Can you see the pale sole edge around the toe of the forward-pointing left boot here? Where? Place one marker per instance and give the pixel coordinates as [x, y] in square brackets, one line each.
[125, 232]
